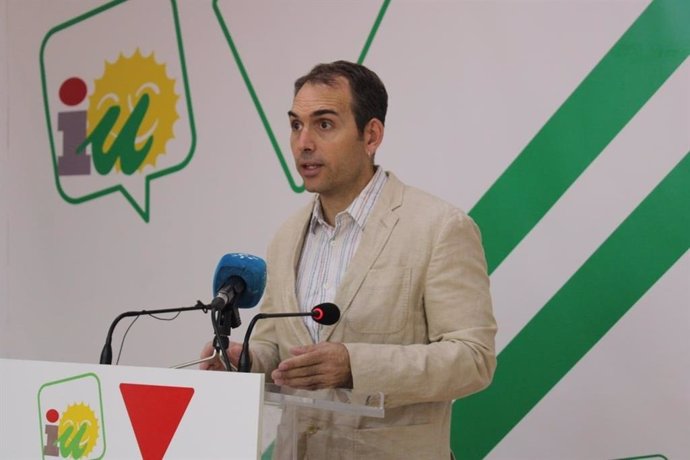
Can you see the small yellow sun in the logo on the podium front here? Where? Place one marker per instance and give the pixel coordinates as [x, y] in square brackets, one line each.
[78, 425]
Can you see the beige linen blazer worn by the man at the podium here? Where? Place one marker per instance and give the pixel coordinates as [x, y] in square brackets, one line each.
[416, 318]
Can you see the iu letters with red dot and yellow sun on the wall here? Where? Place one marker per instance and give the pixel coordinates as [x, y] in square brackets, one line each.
[130, 118]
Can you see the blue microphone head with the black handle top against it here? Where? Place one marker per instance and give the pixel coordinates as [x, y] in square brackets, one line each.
[240, 280]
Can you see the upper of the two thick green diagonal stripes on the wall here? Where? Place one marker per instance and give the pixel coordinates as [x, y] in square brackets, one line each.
[625, 79]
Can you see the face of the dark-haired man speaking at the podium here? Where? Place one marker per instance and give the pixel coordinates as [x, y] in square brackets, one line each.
[329, 152]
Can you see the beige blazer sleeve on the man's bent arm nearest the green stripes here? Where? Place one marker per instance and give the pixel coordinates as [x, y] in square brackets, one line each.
[457, 356]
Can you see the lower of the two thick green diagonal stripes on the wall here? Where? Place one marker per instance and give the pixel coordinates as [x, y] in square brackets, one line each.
[613, 279]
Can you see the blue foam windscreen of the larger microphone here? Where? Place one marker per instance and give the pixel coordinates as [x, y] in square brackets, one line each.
[250, 268]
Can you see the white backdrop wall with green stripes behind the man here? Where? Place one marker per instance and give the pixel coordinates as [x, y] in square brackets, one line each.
[471, 85]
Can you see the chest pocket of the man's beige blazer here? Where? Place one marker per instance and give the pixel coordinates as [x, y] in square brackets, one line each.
[382, 304]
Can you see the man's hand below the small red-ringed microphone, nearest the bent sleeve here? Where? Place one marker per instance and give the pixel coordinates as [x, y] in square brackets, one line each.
[312, 367]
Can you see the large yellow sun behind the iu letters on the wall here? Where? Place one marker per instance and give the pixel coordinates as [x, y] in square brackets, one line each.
[123, 84]
